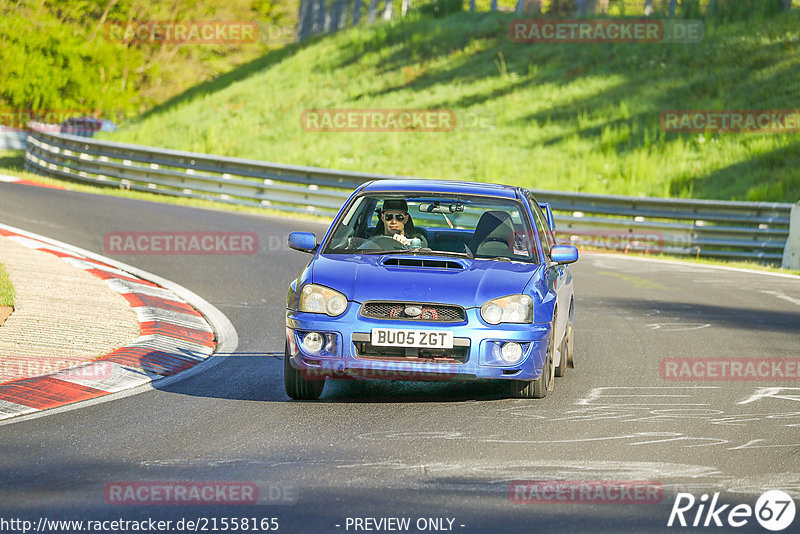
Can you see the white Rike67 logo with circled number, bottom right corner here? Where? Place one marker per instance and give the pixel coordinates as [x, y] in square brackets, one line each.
[774, 510]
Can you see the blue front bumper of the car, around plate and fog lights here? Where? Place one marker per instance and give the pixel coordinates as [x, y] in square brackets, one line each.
[475, 354]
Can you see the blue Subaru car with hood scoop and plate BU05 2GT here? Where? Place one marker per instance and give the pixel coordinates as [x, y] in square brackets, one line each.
[432, 280]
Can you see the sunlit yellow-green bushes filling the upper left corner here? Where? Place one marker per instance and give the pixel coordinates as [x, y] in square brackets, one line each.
[58, 55]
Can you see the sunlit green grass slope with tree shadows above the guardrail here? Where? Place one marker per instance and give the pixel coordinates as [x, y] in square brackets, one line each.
[575, 117]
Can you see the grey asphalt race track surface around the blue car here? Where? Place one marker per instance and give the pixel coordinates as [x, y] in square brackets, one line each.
[420, 450]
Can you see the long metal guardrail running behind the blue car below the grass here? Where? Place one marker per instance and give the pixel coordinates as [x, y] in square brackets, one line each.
[723, 229]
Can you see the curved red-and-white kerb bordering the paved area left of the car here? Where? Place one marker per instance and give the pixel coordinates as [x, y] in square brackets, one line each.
[173, 337]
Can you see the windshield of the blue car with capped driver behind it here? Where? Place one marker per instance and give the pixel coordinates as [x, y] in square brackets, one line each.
[469, 226]
